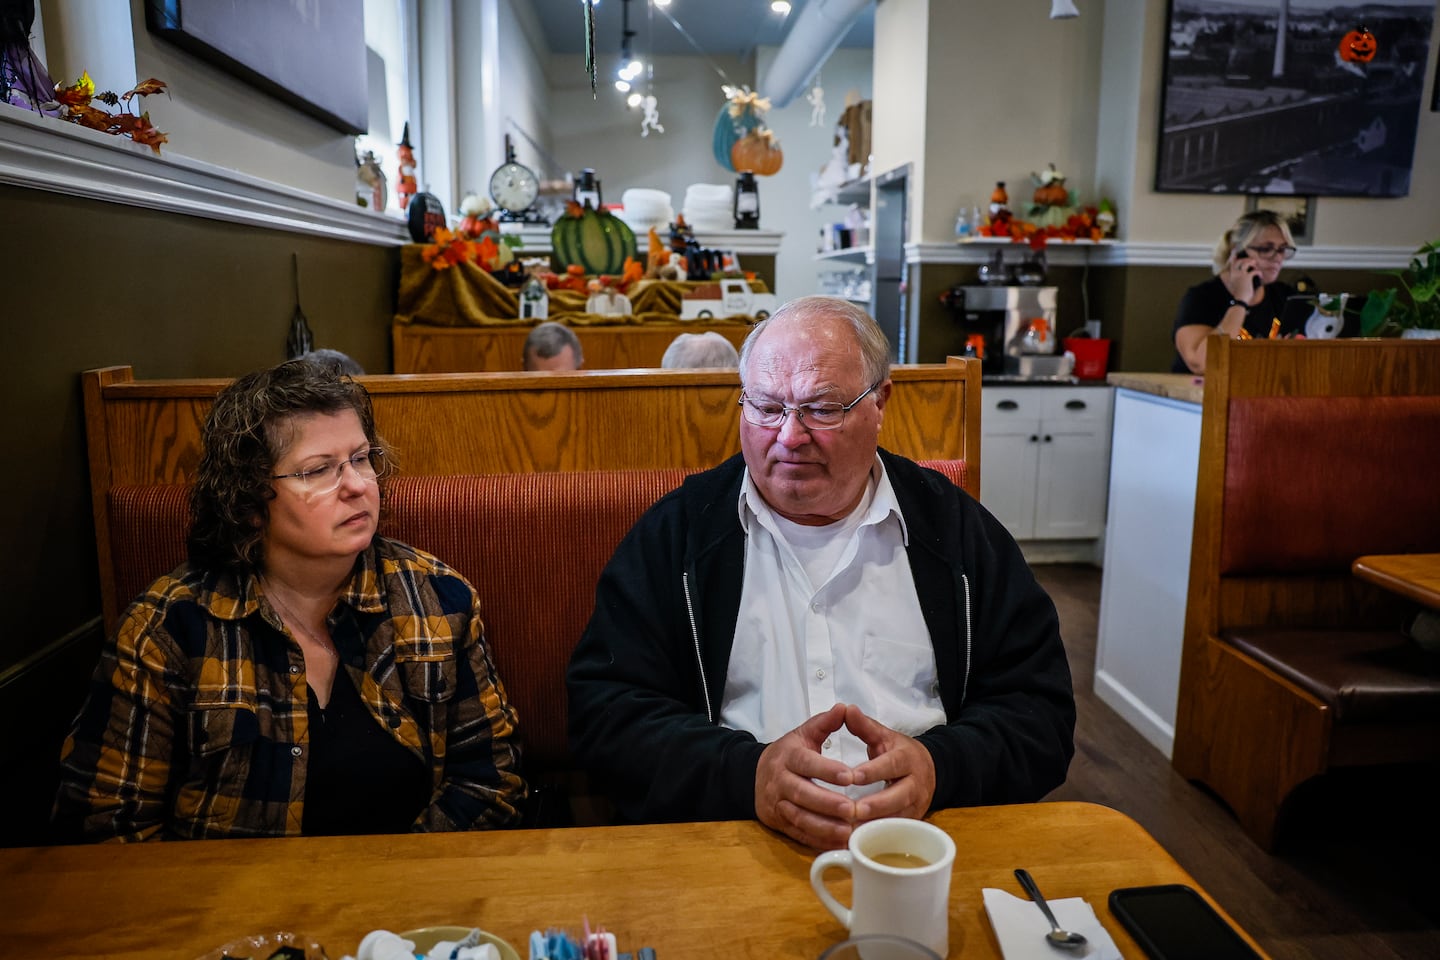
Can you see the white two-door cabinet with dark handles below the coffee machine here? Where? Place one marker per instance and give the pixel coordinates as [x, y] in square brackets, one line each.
[1046, 460]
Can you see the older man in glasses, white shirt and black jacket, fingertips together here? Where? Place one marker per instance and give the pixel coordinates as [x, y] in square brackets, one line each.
[819, 633]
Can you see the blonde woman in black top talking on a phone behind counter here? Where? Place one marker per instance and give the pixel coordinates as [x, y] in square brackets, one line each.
[1245, 299]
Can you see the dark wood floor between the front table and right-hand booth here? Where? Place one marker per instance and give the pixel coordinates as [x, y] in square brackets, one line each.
[1362, 873]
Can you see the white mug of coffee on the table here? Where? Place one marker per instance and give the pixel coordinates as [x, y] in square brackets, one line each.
[902, 882]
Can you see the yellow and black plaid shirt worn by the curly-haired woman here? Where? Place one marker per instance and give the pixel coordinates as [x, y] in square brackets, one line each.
[197, 722]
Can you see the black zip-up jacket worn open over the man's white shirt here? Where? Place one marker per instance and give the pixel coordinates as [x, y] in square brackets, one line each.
[647, 679]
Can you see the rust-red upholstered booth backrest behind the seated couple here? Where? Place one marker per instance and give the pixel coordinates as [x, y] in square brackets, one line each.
[532, 545]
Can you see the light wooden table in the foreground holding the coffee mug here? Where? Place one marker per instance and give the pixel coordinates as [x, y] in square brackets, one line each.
[689, 890]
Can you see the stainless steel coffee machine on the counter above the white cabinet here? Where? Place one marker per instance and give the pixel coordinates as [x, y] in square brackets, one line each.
[1012, 329]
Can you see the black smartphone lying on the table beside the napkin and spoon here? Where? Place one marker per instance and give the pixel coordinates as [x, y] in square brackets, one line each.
[1173, 922]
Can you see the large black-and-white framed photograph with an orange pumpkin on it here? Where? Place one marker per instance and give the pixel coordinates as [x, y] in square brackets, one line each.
[1292, 97]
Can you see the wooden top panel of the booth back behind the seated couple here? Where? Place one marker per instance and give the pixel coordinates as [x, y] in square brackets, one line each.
[146, 433]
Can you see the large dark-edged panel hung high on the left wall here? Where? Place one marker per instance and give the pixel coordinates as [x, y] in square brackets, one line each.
[309, 54]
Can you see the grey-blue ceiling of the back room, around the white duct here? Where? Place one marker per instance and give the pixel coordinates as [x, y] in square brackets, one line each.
[732, 28]
